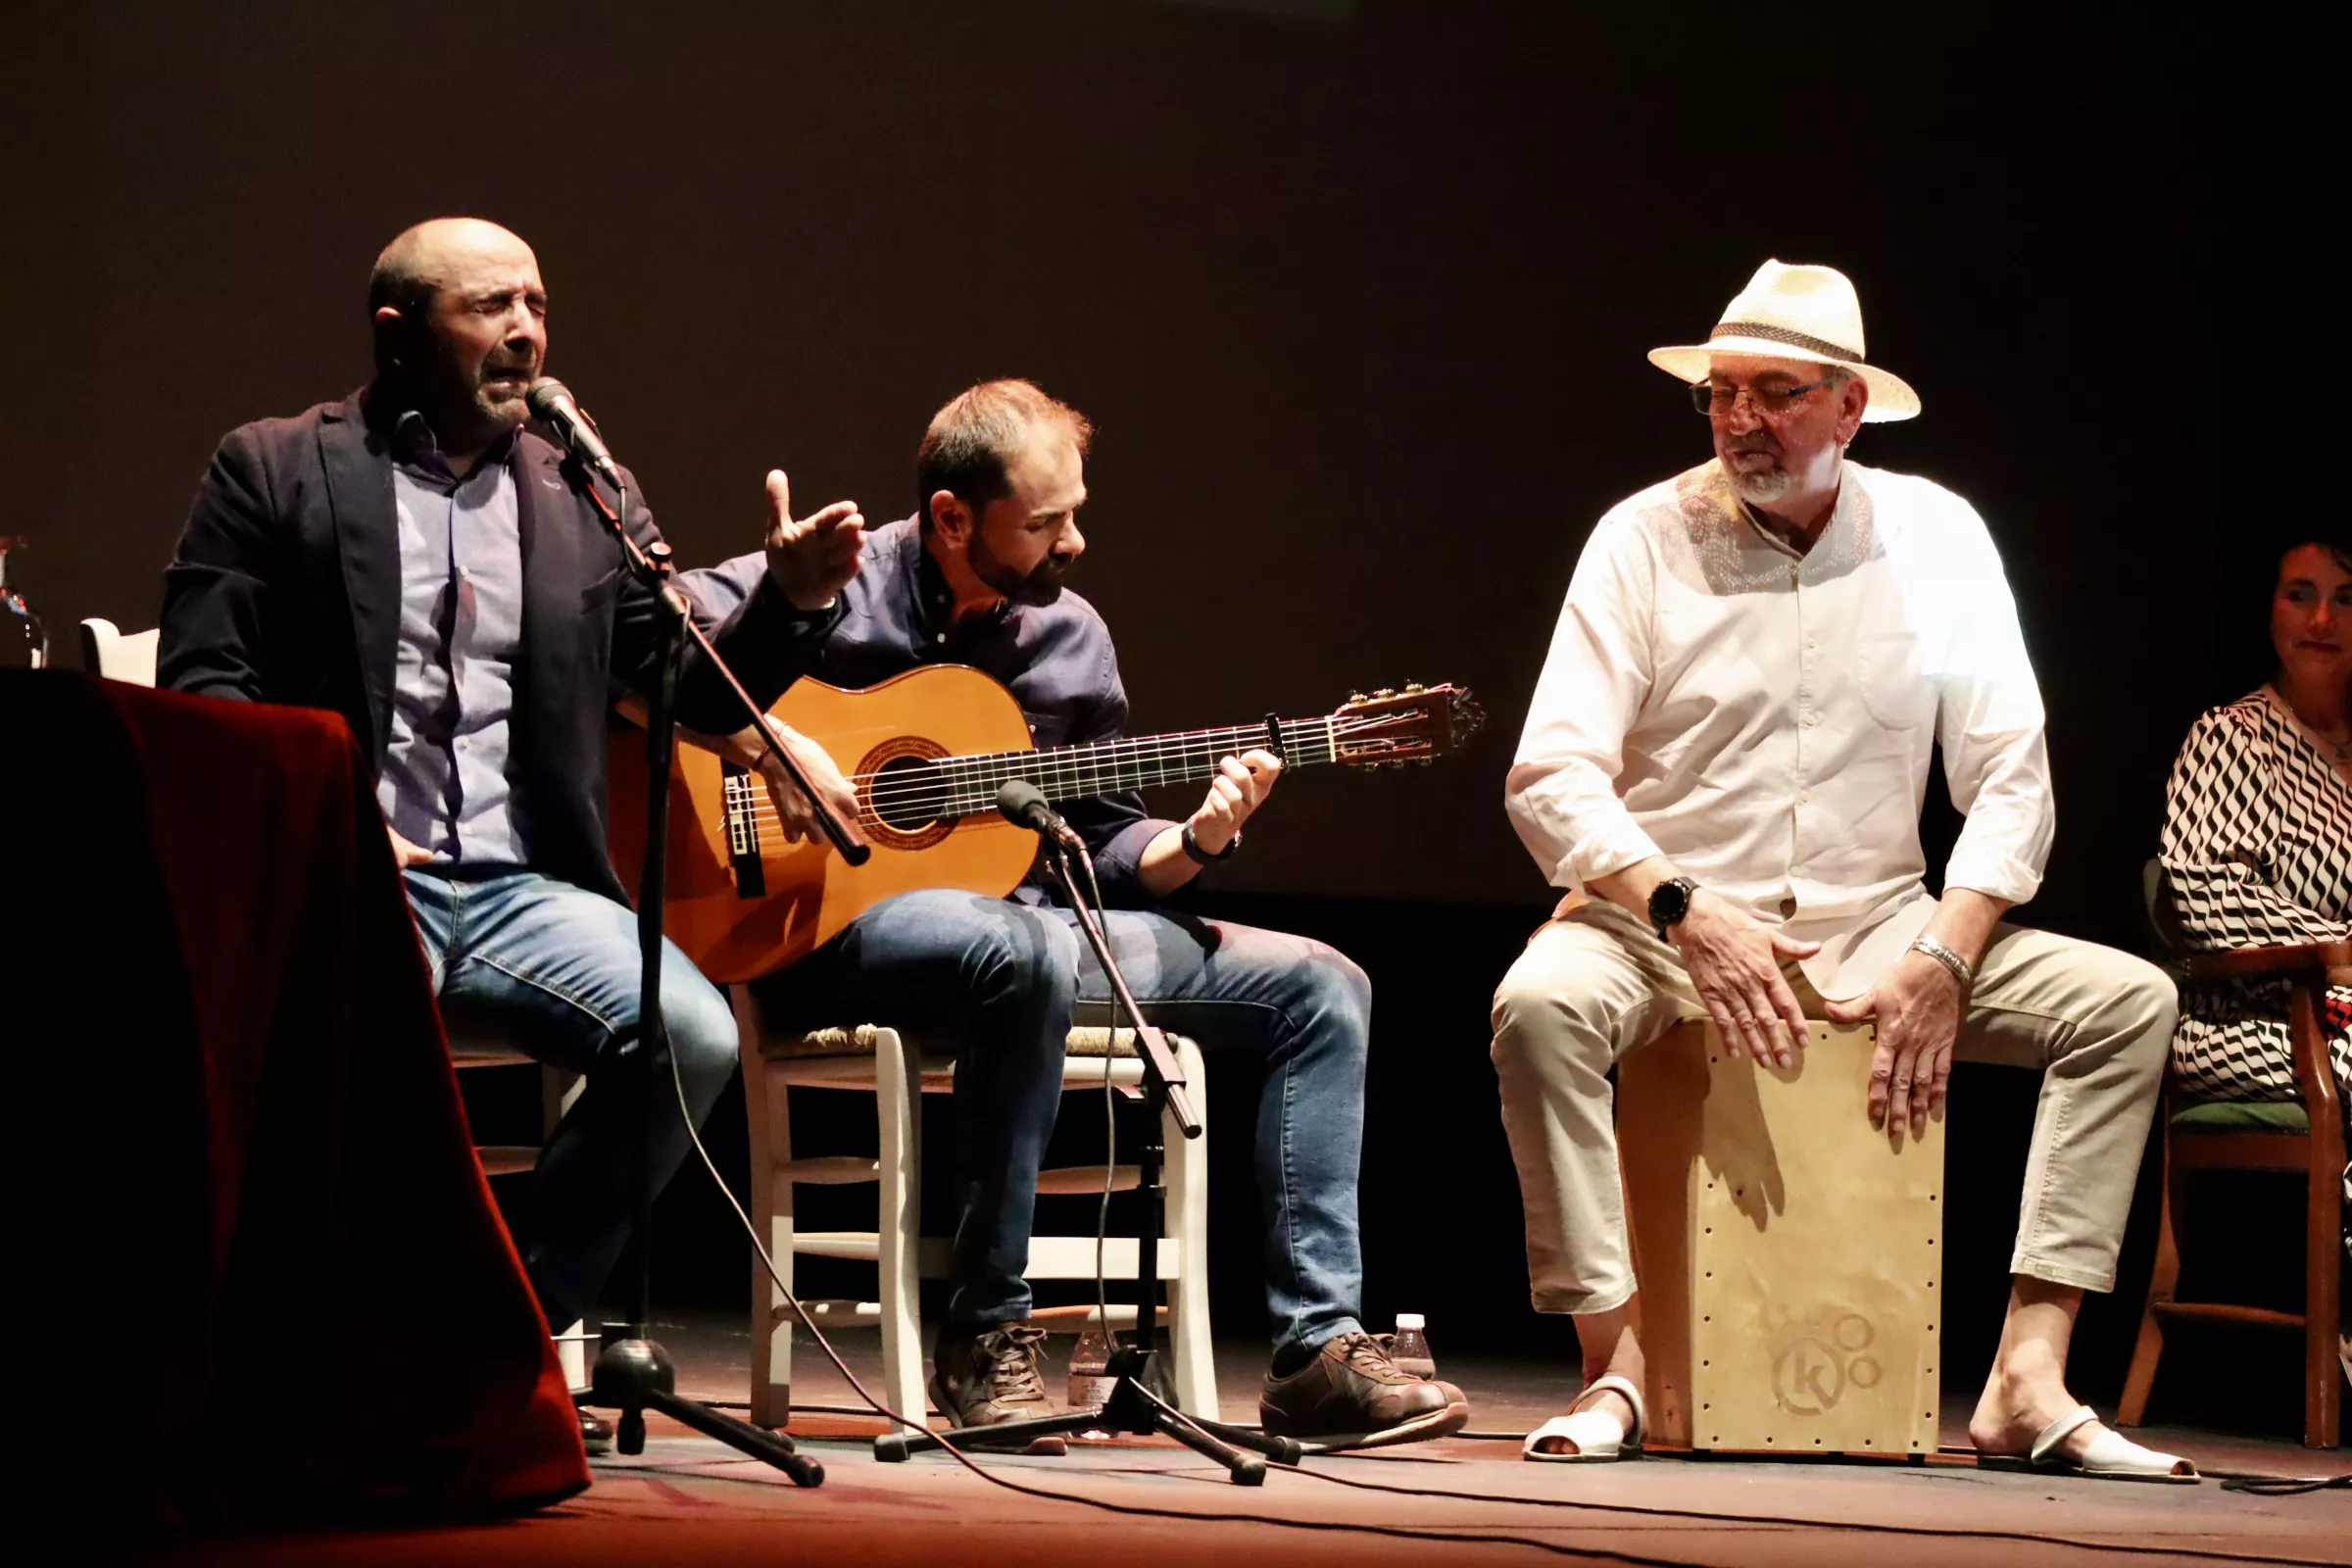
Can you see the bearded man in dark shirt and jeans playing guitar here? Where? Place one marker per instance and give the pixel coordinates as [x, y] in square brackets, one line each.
[977, 579]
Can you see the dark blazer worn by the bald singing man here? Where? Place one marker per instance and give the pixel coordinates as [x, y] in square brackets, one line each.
[286, 589]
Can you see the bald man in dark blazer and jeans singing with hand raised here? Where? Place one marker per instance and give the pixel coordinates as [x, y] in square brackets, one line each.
[422, 565]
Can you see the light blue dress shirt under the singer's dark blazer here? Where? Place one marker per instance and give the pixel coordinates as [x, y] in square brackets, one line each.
[446, 772]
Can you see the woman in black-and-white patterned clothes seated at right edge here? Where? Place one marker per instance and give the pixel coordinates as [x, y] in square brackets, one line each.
[2259, 840]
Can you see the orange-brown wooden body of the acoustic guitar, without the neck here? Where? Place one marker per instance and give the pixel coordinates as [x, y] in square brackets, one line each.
[810, 892]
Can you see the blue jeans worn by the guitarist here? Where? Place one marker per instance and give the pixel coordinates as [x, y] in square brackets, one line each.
[1005, 979]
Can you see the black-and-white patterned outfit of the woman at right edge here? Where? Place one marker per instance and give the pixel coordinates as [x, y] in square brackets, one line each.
[2257, 852]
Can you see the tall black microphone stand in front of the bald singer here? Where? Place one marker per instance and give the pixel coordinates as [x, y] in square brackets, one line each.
[632, 1372]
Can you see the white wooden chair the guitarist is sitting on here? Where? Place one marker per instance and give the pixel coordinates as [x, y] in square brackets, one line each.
[900, 1073]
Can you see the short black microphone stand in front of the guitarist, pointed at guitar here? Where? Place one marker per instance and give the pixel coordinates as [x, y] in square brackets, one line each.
[1132, 1407]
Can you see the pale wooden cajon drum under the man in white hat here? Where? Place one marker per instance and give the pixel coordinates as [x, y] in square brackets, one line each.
[1789, 1254]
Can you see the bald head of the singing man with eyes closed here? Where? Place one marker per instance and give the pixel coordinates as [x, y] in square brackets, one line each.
[462, 326]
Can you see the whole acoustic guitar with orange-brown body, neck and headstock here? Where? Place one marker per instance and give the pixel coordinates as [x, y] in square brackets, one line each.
[926, 753]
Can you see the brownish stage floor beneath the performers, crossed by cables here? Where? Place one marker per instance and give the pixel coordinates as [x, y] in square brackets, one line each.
[693, 1503]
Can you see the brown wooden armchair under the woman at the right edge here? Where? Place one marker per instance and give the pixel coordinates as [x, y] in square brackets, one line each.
[2304, 1139]
